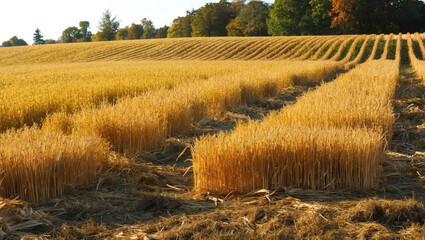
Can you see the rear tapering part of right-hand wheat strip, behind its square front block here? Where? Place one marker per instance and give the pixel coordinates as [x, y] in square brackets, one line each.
[368, 91]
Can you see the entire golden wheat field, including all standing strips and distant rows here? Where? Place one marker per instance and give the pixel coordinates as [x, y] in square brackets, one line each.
[71, 105]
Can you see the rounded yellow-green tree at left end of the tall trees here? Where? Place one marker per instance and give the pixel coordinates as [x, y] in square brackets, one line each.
[212, 19]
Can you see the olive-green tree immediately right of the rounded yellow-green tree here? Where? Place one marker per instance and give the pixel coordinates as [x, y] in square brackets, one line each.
[252, 19]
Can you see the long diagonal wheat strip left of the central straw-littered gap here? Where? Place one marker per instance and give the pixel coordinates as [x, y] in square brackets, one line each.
[142, 124]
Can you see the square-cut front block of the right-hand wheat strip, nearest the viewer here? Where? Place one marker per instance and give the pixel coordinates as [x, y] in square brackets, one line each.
[262, 156]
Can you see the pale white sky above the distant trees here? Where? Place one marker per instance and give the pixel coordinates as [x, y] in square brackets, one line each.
[21, 18]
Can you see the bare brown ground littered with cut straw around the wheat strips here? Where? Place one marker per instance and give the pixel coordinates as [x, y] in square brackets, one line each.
[151, 197]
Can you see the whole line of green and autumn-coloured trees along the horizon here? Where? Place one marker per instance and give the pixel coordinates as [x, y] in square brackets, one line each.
[257, 18]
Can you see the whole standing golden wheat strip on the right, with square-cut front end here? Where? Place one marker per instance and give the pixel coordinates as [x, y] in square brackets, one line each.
[332, 137]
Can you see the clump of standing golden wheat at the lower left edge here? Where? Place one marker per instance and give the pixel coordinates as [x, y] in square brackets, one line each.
[38, 165]
